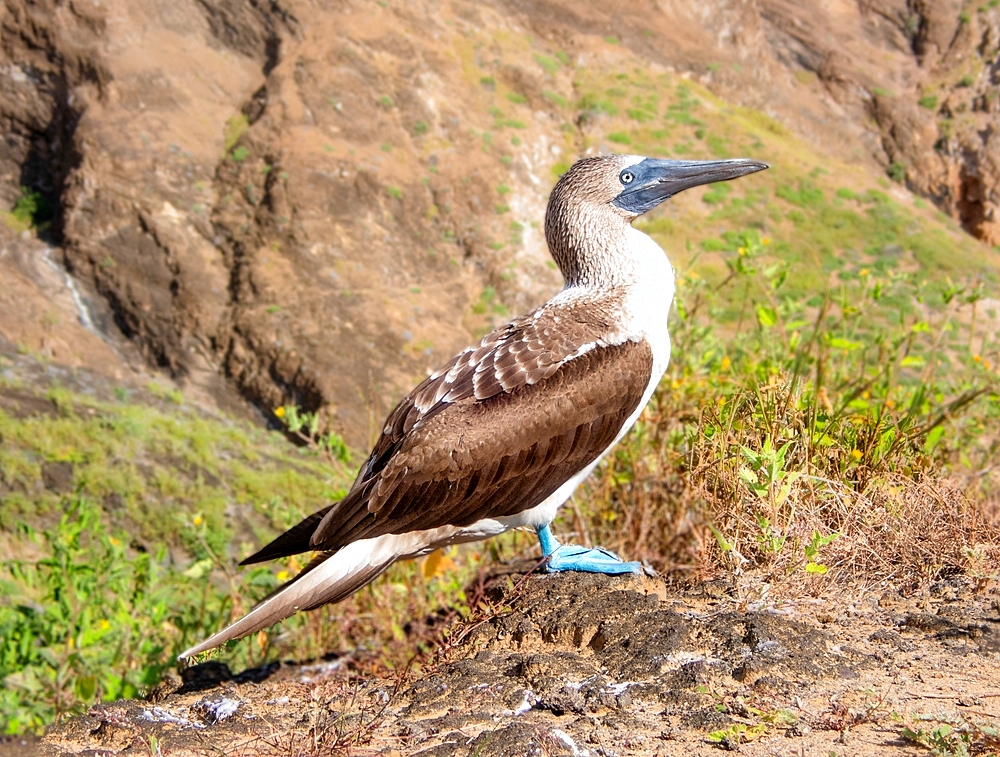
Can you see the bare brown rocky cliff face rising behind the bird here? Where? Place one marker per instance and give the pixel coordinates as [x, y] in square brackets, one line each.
[323, 201]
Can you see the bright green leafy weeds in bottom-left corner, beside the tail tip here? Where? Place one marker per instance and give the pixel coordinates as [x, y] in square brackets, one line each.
[92, 620]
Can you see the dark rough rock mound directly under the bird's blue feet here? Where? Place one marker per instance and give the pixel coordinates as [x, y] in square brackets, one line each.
[579, 644]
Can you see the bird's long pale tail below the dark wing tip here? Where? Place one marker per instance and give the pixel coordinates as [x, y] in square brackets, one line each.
[328, 578]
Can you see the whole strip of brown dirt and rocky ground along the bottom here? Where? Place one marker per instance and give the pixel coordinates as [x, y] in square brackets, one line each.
[578, 664]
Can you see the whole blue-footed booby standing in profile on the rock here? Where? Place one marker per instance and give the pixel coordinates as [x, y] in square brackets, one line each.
[500, 436]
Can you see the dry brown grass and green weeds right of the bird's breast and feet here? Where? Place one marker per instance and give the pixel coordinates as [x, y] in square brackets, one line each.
[850, 439]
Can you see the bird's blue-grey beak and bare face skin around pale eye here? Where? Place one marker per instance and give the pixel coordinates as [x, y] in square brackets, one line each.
[653, 180]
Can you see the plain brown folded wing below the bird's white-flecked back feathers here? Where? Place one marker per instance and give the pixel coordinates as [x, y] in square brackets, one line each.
[496, 457]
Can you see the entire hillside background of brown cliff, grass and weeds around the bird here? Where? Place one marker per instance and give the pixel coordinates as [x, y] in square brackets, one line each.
[221, 215]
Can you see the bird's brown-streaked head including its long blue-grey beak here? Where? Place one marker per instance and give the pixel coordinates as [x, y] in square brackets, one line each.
[597, 196]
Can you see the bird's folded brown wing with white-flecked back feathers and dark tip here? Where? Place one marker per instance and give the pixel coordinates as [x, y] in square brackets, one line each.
[481, 435]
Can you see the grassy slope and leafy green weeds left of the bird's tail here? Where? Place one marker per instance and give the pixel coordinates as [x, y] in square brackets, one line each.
[97, 598]
